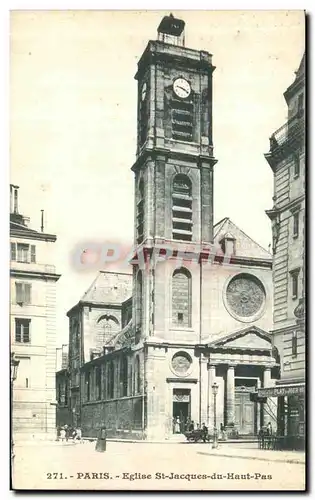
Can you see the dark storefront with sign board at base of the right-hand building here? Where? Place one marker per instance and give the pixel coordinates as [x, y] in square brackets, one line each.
[291, 413]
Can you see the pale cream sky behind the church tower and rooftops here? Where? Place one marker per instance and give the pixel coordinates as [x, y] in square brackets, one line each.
[73, 120]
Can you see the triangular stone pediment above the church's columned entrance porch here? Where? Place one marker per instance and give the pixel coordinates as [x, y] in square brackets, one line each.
[248, 338]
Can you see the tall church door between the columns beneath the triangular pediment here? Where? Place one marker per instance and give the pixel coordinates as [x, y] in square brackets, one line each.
[245, 413]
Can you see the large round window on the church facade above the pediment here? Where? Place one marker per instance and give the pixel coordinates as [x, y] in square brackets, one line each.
[245, 295]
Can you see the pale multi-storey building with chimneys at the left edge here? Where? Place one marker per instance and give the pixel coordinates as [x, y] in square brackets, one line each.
[33, 281]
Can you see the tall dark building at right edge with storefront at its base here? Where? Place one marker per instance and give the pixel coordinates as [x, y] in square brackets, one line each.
[286, 158]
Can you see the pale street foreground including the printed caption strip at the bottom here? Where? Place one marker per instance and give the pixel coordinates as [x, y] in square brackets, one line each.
[142, 466]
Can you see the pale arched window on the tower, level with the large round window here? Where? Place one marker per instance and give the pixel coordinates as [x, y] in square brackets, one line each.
[181, 298]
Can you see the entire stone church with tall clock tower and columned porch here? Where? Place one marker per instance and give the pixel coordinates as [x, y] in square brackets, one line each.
[196, 310]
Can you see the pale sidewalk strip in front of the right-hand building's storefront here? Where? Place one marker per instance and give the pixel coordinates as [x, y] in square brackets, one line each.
[293, 457]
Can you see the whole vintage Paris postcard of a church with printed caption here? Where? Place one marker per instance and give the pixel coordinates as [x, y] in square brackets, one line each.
[157, 238]
